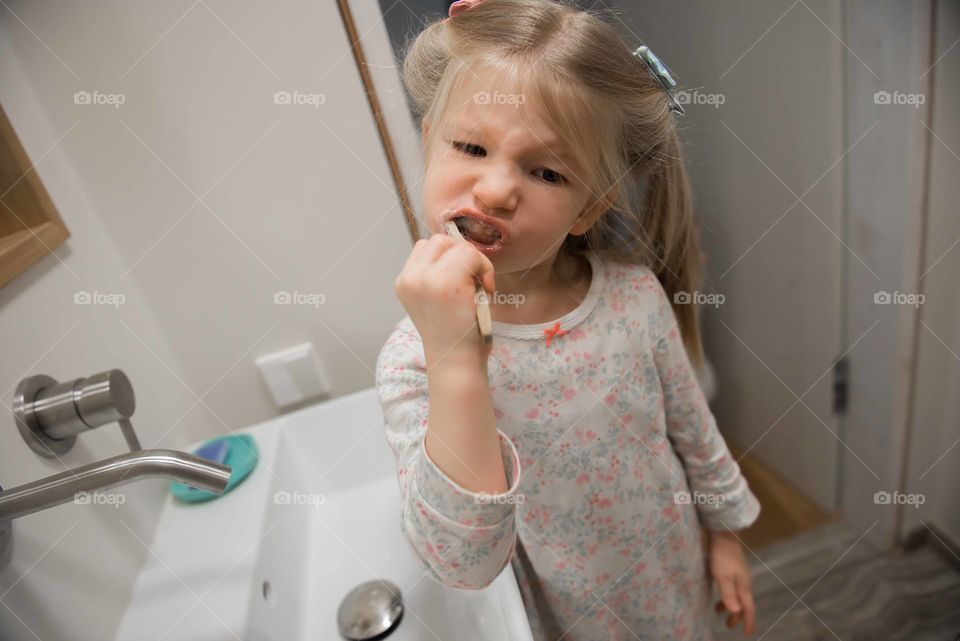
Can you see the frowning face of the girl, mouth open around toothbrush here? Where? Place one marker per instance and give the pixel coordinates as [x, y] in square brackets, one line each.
[495, 160]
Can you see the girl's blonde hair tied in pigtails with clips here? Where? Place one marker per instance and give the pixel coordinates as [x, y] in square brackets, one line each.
[605, 104]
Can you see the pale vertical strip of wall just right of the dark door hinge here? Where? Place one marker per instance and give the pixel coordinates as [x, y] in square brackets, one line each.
[887, 178]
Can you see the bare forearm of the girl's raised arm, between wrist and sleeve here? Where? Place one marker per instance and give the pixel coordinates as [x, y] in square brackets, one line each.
[461, 436]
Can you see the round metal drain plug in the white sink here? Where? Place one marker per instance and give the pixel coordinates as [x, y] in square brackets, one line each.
[370, 611]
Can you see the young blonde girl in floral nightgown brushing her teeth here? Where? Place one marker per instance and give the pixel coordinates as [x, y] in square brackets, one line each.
[578, 447]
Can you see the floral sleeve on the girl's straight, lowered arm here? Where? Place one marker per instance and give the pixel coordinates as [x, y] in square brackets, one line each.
[719, 491]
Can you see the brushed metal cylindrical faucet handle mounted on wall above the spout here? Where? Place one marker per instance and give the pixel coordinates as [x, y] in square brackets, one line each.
[49, 414]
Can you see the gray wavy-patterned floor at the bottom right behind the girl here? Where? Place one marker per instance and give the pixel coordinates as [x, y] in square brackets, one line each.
[823, 585]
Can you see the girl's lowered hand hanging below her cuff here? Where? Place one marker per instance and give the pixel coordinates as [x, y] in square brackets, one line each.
[728, 567]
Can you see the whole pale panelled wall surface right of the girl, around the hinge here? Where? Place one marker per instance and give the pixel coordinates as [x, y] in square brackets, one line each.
[799, 81]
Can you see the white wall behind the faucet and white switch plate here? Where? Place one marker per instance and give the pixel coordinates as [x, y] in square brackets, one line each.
[299, 199]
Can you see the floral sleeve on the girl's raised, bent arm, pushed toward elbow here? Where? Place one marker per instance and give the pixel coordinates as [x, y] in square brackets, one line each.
[462, 538]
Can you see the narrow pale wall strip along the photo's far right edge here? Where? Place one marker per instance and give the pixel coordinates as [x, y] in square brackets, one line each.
[933, 469]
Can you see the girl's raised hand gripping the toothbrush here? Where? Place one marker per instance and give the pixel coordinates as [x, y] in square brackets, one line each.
[436, 287]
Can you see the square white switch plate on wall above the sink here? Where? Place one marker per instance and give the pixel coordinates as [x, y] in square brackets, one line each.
[293, 375]
